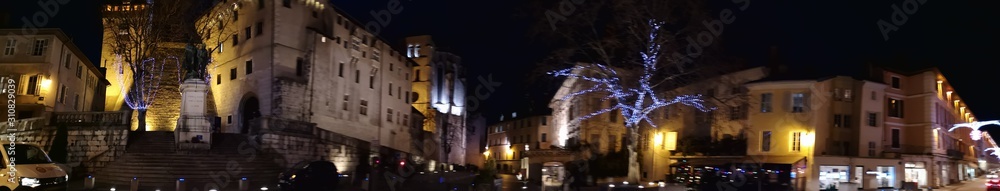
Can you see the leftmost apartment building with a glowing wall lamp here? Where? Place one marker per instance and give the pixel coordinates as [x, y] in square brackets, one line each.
[50, 72]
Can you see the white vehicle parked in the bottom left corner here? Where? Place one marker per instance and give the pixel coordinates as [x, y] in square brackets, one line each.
[33, 169]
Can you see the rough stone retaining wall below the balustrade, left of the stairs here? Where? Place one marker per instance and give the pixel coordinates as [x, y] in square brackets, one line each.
[88, 148]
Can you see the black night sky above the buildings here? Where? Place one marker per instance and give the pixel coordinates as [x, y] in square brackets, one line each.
[958, 36]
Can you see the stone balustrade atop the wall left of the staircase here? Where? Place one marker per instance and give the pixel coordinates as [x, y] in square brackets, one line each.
[115, 118]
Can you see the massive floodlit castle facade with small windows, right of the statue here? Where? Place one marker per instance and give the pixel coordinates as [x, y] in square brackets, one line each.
[304, 64]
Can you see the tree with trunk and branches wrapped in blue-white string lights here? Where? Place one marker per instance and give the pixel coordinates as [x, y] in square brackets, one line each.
[634, 99]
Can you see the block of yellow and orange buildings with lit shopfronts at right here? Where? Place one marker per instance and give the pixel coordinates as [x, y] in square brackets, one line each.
[841, 129]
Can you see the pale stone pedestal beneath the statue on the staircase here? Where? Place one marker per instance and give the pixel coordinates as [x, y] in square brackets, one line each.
[193, 127]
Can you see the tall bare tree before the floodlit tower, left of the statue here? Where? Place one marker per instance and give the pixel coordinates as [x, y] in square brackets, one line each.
[138, 33]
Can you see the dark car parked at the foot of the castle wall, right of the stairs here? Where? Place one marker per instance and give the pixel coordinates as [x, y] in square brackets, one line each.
[312, 176]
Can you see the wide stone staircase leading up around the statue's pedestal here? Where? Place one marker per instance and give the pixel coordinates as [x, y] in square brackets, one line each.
[153, 160]
